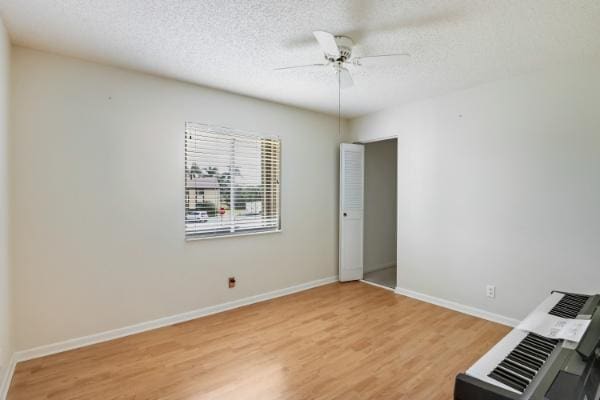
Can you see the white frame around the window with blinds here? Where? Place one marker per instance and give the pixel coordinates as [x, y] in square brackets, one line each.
[232, 132]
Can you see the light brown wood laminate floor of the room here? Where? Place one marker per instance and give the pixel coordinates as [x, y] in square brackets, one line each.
[340, 341]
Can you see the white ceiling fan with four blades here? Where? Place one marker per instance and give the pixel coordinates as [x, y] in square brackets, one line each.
[338, 56]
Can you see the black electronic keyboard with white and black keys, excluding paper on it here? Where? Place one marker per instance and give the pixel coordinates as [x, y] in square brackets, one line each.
[527, 366]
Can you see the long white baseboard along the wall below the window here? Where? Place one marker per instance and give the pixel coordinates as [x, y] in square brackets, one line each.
[162, 322]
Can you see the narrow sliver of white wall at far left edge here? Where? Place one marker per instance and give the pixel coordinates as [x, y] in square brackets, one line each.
[5, 272]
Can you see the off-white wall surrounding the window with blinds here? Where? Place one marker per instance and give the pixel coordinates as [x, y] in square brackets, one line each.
[98, 195]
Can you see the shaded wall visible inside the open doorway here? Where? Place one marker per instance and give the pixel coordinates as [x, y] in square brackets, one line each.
[380, 205]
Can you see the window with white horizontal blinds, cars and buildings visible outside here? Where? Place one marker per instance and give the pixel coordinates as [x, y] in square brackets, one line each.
[231, 182]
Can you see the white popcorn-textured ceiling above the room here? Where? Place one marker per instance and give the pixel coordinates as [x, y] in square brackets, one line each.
[234, 45]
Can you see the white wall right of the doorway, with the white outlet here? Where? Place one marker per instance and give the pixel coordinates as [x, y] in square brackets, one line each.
[499, 184]
